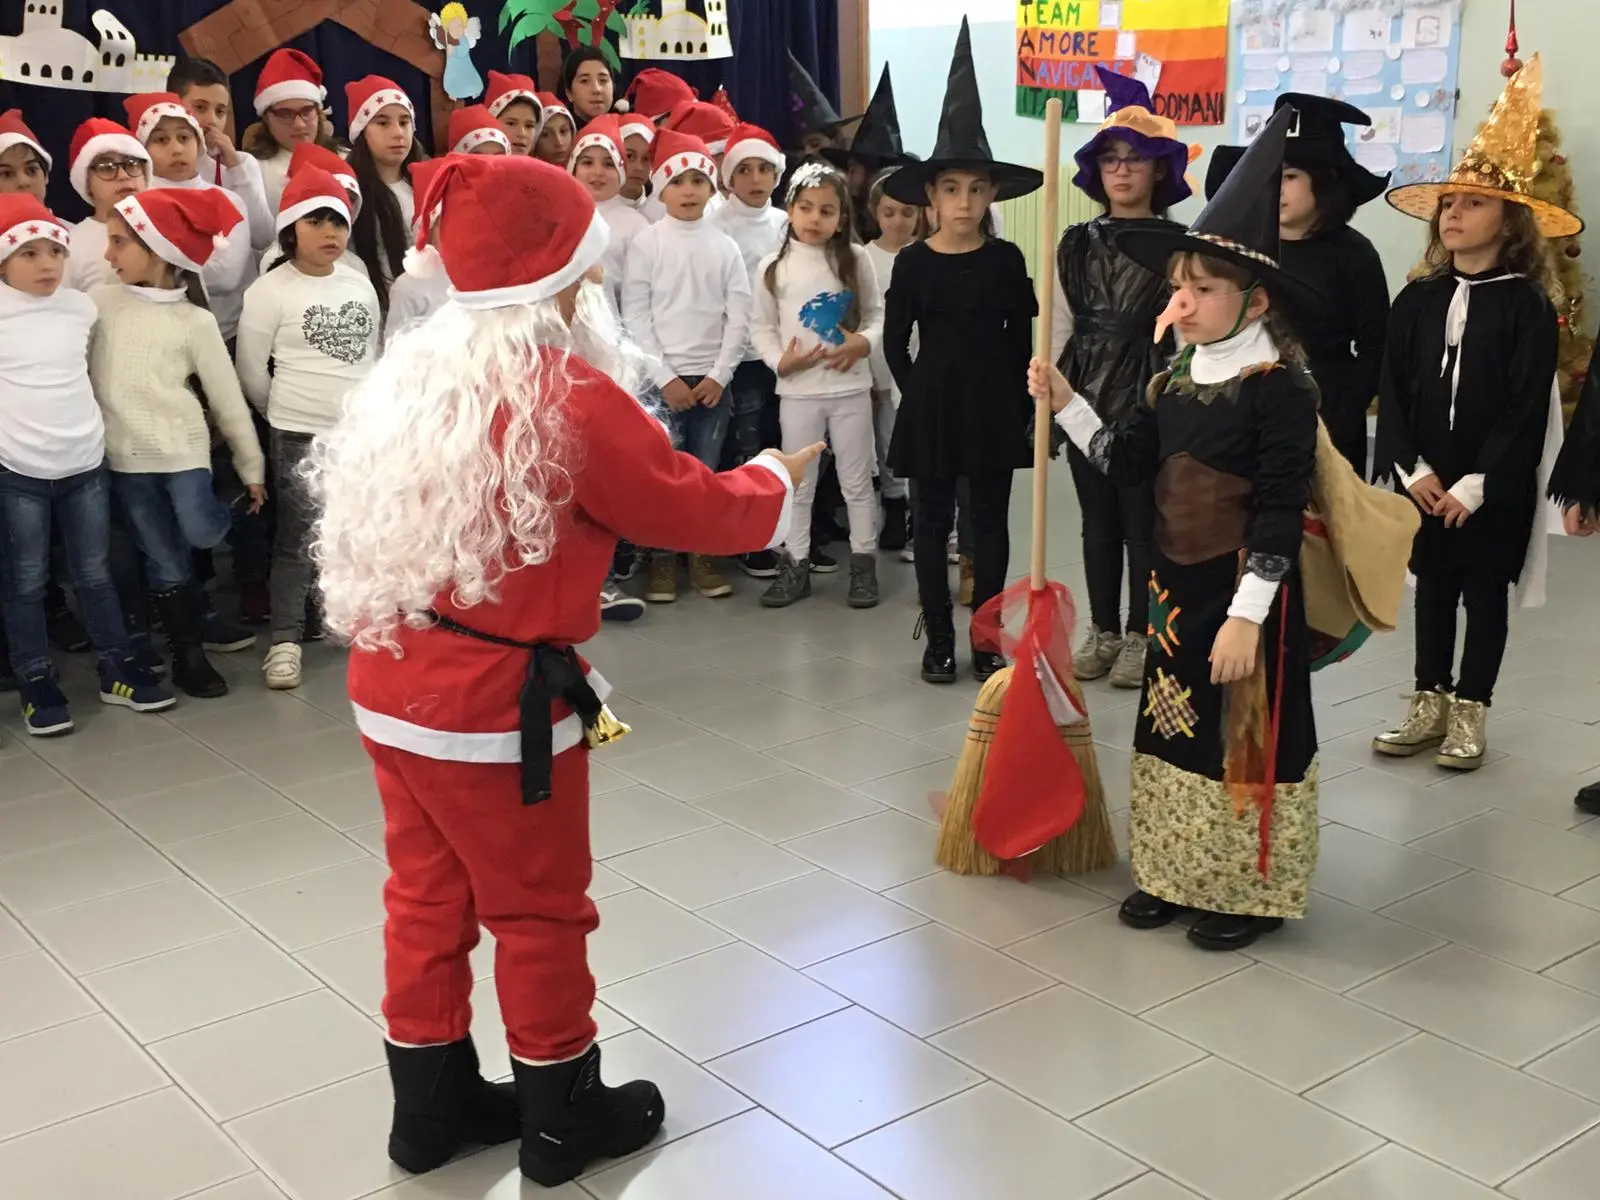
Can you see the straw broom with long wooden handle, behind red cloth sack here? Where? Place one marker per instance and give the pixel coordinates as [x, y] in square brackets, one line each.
[1089, 844]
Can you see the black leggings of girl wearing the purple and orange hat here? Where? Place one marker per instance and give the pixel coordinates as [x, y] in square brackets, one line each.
[1114, 518]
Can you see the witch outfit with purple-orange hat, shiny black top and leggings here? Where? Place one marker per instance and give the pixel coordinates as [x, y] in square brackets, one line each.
[1103, 330]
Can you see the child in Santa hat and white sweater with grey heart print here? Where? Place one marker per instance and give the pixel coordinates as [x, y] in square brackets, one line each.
[316, 321]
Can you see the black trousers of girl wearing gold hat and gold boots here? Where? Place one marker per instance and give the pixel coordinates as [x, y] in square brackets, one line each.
[1486, 598]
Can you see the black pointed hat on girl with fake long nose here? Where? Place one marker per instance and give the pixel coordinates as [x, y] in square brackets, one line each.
[1241, 223]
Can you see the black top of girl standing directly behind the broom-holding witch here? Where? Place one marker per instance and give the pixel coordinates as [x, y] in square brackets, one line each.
[1343, 335]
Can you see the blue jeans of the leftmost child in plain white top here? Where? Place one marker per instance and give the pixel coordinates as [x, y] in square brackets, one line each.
[82, 508]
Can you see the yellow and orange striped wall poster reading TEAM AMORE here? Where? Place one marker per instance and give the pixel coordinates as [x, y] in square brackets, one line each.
[1177, 47]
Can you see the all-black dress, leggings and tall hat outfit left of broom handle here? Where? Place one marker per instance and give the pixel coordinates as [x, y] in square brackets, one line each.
[964, 407]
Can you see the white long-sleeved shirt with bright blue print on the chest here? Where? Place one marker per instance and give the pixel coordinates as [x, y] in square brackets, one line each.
[809, 306]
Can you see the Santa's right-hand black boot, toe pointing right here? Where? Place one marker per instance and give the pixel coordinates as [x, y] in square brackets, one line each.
[570, 1118]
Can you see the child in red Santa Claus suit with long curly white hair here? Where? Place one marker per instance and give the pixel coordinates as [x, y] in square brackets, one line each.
[474, 492]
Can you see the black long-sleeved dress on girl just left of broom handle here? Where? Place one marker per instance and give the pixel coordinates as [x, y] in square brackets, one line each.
[964, 409]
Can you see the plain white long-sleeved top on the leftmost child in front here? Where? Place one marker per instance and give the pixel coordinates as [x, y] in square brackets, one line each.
[50, 426]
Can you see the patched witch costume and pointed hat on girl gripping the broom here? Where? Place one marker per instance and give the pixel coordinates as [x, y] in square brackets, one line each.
[1225, 777]
